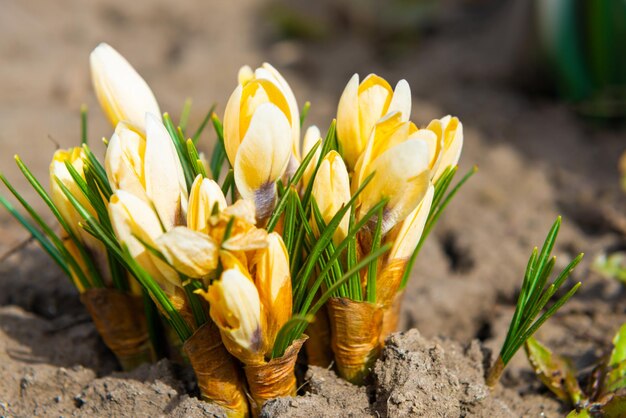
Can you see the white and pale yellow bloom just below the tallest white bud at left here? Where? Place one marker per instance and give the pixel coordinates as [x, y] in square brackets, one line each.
[148, 167]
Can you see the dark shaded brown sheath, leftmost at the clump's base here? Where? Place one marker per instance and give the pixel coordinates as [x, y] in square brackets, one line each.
[121, 322]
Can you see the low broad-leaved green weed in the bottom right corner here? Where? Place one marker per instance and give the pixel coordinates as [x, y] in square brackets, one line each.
[605, 393]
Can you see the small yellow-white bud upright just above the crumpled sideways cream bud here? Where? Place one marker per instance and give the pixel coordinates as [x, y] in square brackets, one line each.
[205, 197]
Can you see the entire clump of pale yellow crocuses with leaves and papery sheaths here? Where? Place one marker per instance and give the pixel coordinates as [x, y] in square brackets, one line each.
[238, 281]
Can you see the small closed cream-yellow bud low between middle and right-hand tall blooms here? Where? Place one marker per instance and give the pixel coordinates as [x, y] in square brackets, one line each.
[331, 190]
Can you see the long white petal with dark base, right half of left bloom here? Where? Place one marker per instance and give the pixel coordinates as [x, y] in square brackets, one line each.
[164, 179]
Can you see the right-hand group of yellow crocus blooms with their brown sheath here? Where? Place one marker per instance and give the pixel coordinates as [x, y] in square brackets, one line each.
[376, 139]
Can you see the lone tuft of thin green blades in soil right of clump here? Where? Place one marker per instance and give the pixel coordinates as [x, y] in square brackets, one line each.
[533, 298]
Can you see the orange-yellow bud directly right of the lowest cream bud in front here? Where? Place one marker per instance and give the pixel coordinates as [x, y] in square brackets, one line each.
[273, 282]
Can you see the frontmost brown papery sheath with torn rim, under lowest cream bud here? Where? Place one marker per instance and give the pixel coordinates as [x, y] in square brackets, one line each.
[273, 379]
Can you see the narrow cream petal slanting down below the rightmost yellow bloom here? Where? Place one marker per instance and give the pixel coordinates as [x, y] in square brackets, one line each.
[412, 228]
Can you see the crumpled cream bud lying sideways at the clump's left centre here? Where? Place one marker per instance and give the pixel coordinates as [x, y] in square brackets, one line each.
[192, 253]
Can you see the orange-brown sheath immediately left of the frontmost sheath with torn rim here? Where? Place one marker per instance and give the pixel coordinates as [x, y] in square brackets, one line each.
[218, 378]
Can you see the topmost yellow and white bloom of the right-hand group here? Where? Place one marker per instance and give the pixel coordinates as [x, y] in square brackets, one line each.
[360, 108]
